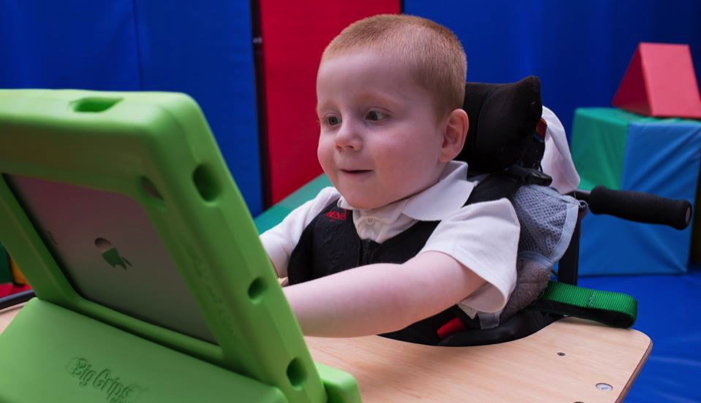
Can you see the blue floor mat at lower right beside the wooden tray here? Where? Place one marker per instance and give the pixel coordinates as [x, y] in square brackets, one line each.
[668, 312]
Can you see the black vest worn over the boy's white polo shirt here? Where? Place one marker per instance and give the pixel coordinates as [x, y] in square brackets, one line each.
[330, 244]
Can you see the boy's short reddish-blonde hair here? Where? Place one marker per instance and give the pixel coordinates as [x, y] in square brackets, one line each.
[432, 51]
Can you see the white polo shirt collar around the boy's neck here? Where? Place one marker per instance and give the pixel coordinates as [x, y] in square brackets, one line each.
[433, 204]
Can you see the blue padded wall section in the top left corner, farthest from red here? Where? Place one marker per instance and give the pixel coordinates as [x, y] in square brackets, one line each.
[71, 44]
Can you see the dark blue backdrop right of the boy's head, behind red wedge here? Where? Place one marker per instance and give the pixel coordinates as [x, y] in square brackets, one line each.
[579, 49]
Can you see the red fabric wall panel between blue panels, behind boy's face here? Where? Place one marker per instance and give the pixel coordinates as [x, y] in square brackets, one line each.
[294, 35]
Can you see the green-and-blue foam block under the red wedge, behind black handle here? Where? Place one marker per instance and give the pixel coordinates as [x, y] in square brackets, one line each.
[621, 150]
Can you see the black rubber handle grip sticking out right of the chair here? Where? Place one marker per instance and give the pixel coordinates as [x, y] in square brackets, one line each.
[640, 207]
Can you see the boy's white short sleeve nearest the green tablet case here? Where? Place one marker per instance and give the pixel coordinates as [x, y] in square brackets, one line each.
[280, 241]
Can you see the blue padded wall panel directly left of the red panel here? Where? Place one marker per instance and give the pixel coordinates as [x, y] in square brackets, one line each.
[205, 49]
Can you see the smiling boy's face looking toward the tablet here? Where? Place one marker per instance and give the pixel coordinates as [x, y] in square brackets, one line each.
[380, 140]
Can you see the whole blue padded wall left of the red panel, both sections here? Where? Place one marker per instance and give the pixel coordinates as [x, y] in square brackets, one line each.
[201, 48]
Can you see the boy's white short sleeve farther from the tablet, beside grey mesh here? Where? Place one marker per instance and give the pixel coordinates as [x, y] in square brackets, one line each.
[484, 238]
